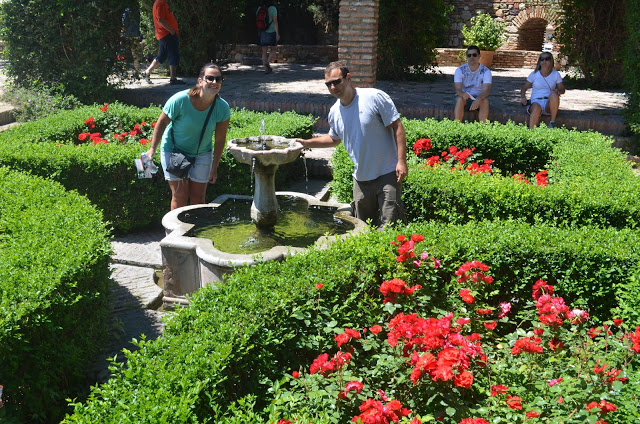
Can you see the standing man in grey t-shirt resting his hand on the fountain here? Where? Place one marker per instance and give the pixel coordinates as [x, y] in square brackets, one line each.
[367, 121]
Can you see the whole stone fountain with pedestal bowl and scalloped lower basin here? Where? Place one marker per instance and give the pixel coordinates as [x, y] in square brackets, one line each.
[190, 262]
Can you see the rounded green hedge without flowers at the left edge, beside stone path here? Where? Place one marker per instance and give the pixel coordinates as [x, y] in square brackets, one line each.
[54, 288]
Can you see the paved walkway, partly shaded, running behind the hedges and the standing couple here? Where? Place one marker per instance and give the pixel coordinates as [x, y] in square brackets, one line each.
[301, 88]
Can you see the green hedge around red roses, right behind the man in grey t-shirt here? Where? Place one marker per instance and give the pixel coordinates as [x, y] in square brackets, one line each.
[590, 182]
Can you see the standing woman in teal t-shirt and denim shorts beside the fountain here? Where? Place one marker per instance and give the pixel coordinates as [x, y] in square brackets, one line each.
[179, 127]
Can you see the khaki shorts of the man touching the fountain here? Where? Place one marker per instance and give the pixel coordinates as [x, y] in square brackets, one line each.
[378, 200]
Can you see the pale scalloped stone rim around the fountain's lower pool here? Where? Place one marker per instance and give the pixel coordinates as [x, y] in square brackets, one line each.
[204, 247]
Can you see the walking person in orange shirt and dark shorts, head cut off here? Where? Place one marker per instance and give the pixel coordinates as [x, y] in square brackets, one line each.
[167, 33]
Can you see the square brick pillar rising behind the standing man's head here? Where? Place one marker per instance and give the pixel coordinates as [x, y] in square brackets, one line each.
[358, 39]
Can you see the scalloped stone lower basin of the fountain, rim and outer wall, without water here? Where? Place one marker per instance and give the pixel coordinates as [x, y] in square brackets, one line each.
[190, 263]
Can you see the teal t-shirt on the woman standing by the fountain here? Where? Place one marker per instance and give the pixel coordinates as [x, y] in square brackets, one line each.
[186, 124]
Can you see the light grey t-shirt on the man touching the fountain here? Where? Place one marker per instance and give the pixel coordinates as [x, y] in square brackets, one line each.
[363, 126]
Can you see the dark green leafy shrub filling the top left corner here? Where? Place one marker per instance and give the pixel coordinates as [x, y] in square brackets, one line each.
[62, 43]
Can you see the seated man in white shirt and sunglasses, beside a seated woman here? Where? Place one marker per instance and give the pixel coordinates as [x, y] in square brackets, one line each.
[472, 82]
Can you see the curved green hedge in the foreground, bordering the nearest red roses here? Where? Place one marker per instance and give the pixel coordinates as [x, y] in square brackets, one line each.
[231, 343]
